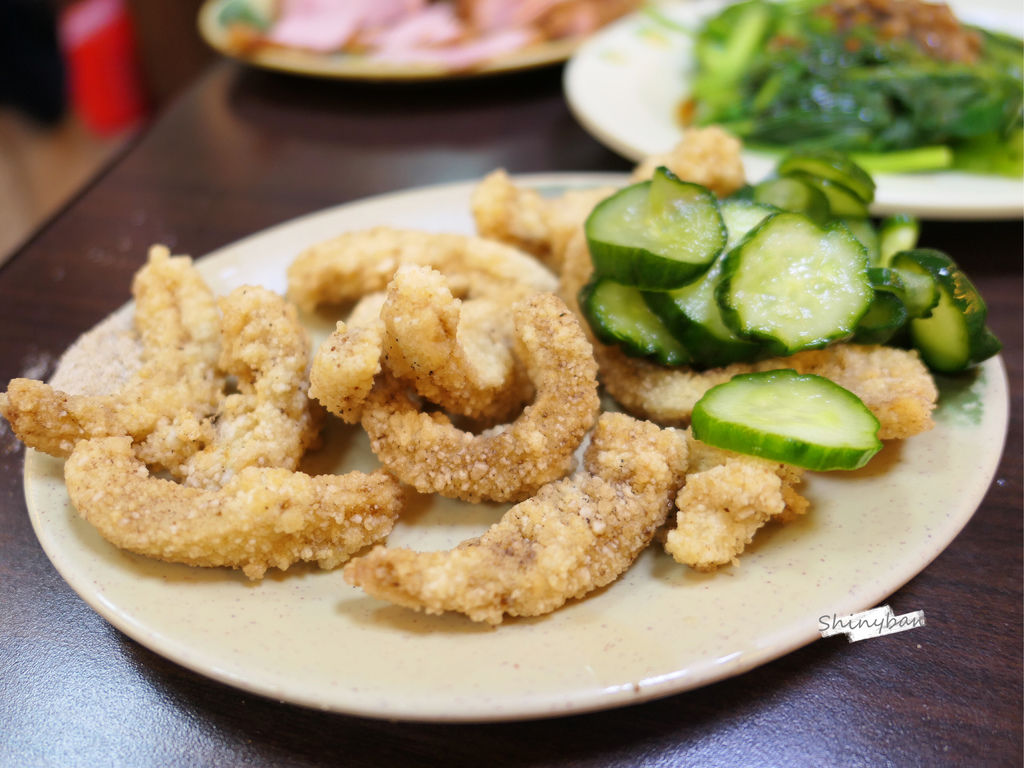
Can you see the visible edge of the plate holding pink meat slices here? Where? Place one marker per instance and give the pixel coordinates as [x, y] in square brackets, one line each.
[357, 67]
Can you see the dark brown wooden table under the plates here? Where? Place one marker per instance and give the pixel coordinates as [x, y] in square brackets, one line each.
[245, 150]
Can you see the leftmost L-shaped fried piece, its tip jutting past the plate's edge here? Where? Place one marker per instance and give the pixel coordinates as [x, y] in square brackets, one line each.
[176, 388]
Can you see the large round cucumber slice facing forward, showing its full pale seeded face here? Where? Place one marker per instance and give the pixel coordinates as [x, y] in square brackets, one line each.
[794, 285]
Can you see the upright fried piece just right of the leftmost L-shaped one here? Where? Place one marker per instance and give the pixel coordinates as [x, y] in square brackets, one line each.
[270, 421]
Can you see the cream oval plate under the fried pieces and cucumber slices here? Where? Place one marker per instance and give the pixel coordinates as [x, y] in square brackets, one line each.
[307, 637]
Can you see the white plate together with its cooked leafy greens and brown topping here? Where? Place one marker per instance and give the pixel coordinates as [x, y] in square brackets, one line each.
[927, 99]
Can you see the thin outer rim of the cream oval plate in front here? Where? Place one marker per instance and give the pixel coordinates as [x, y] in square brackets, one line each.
[782, 643]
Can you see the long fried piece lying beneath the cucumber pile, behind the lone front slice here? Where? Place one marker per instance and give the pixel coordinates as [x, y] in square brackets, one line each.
[893, 383]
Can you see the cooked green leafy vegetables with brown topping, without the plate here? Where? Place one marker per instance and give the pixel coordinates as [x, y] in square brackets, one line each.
[823, 76]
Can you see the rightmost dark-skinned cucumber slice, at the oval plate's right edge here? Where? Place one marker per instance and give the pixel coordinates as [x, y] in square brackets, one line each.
[954, 337]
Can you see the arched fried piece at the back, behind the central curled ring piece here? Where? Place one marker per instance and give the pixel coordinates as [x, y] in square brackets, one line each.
[357, 264]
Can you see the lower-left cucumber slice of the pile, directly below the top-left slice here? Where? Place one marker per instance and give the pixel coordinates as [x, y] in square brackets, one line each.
[618, 315]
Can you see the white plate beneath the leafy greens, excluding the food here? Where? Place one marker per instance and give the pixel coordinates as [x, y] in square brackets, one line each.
[626, 83]
